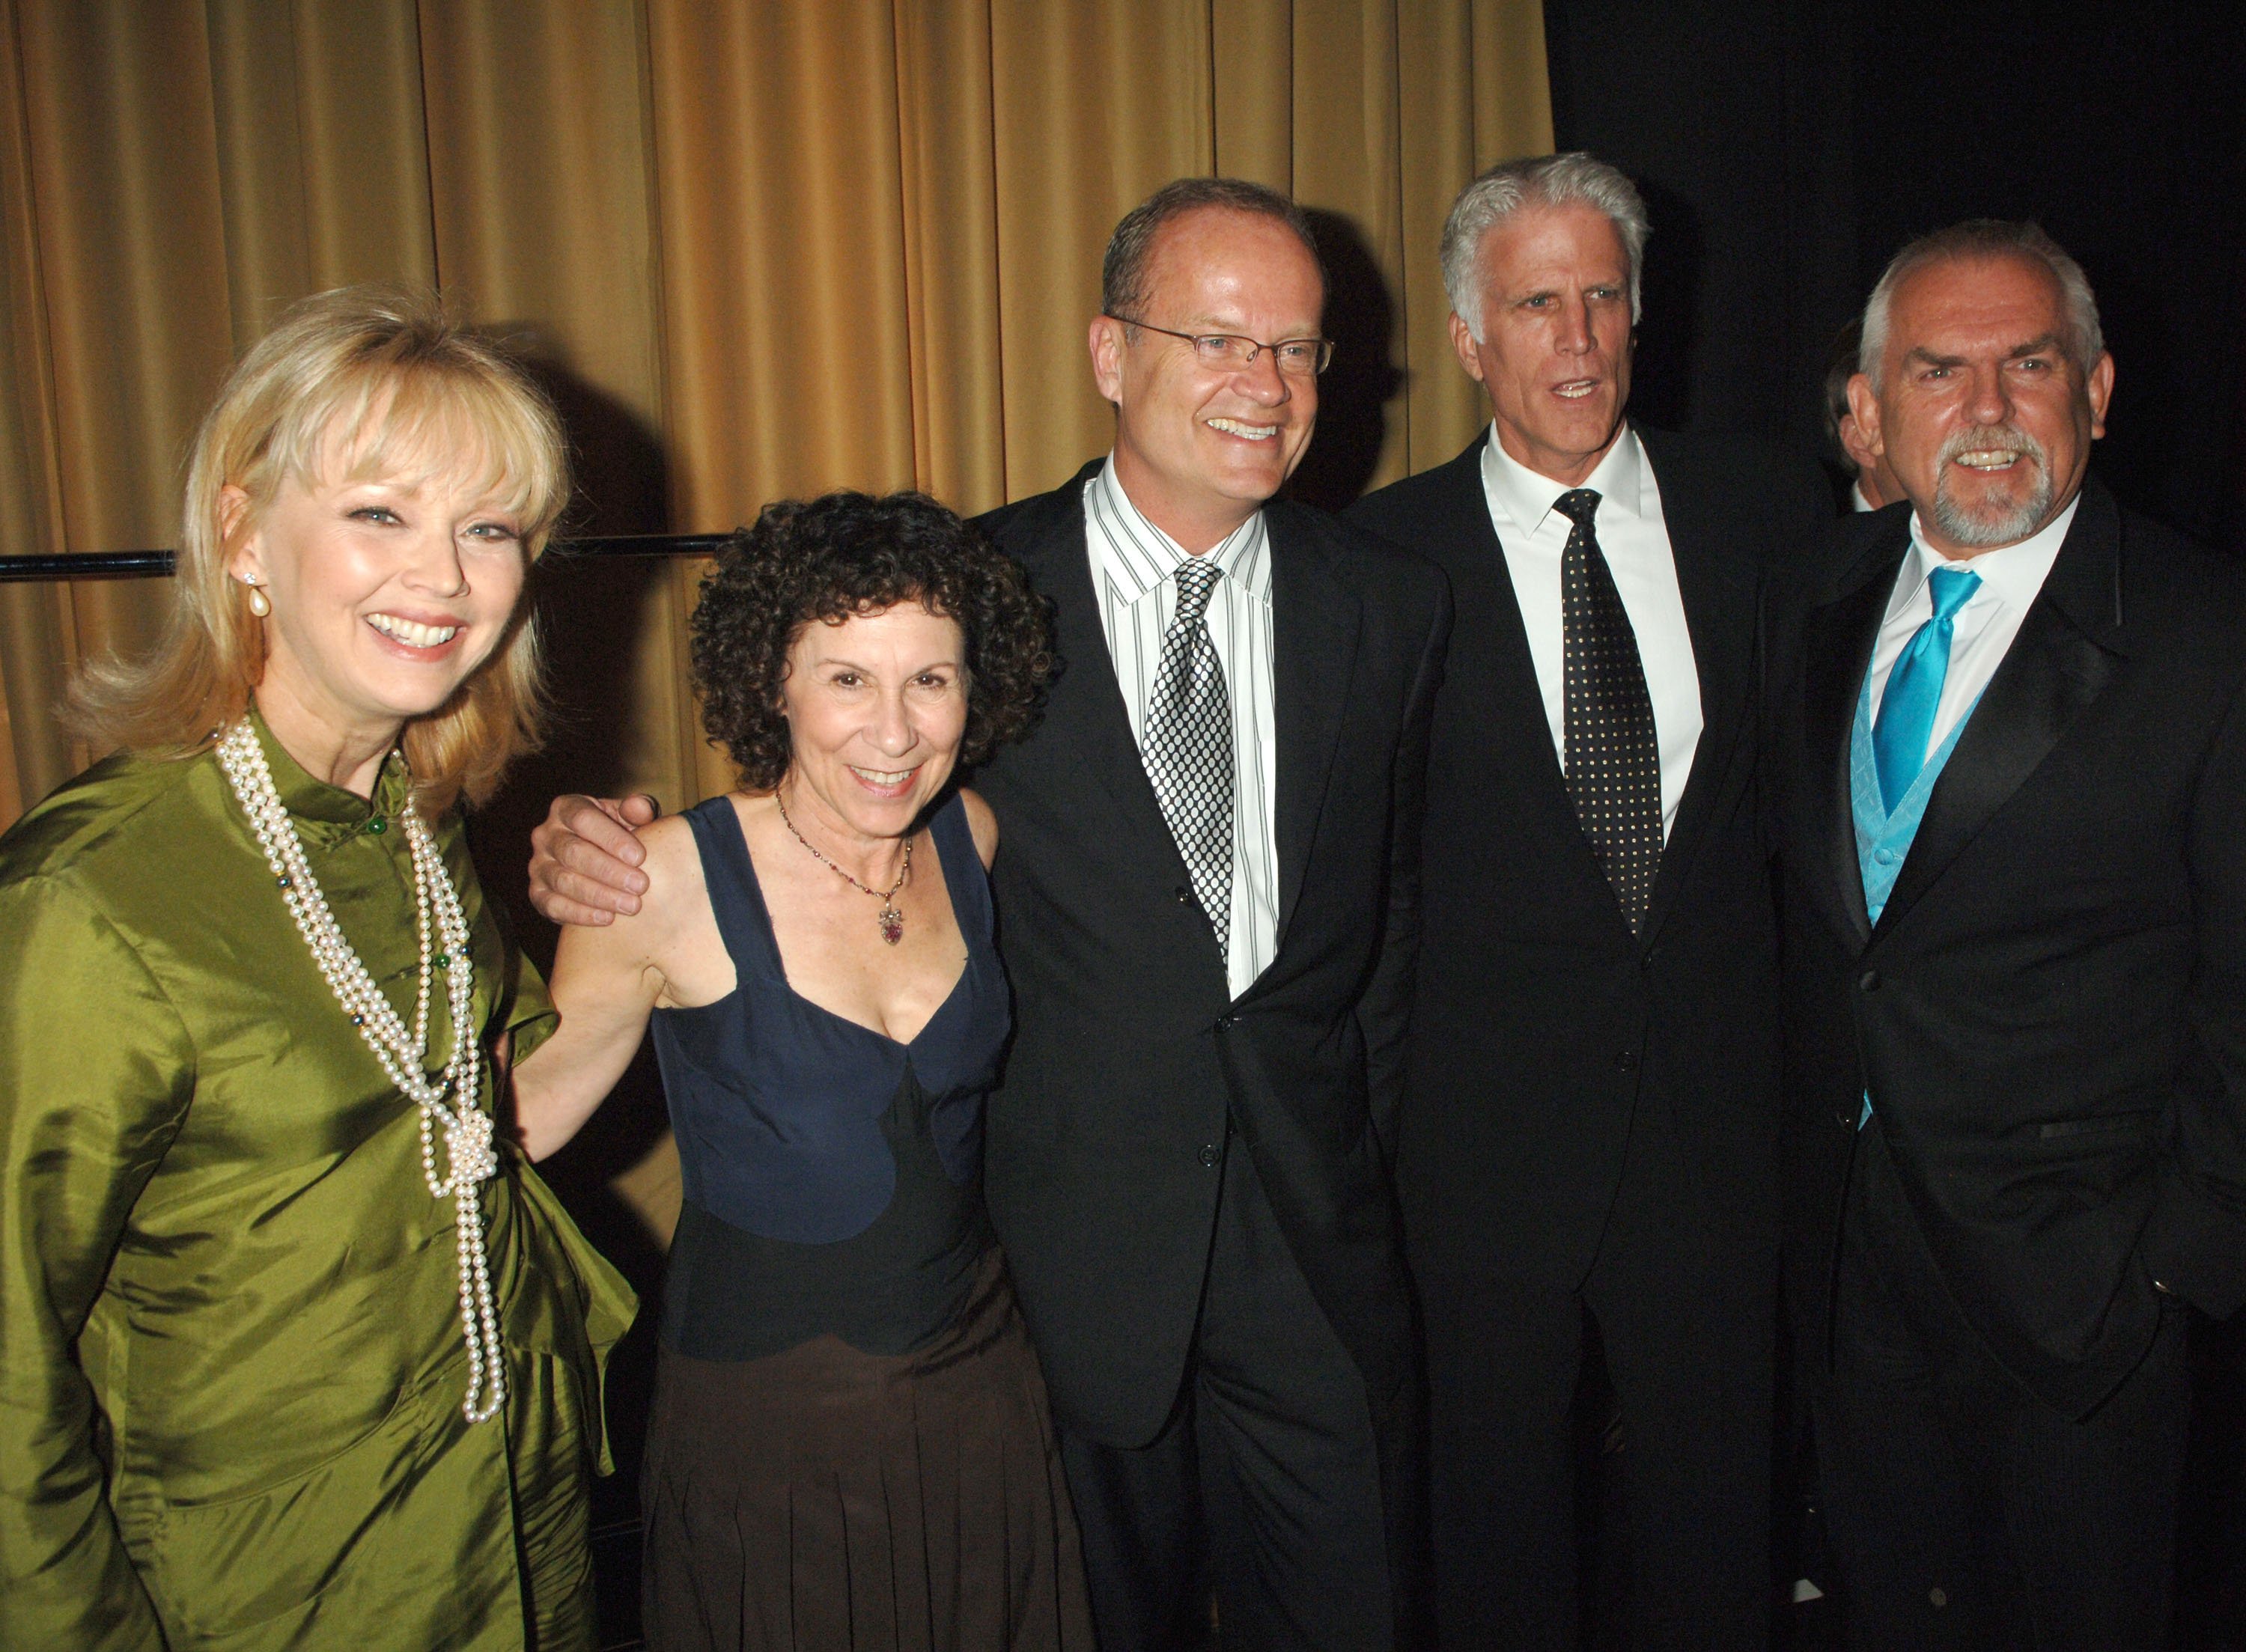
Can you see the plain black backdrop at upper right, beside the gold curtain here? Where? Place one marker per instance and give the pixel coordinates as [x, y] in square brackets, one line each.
[1787, 152]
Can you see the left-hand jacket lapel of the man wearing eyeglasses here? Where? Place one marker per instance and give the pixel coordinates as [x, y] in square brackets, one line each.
[1086, 731]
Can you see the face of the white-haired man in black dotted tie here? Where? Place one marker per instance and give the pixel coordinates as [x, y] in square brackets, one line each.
[1555, 349]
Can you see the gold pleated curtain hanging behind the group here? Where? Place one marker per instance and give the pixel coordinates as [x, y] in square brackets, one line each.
[756, 248]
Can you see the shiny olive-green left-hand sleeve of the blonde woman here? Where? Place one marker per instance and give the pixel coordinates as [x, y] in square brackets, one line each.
[95, 1074]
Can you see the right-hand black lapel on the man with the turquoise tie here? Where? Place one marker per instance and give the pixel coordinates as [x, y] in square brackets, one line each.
[2058, 666]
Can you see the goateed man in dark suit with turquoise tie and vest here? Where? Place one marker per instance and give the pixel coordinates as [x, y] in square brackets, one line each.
[2007, 775]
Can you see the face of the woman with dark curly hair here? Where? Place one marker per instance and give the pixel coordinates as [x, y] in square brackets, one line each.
[877, 706]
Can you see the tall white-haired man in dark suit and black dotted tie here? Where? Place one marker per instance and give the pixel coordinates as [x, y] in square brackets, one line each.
[1589, 1139]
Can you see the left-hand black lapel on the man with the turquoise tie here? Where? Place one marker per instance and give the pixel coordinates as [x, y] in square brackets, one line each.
[1836, 652]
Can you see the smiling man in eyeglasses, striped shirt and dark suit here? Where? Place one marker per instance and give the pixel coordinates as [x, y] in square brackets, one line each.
[1207, 899]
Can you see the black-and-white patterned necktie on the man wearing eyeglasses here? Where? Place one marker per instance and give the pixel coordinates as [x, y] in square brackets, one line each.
[1189, 746]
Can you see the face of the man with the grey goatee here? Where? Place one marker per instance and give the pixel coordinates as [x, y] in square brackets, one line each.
[1982, 414]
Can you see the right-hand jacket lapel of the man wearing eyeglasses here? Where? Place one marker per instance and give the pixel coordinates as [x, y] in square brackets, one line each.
[1315, 621]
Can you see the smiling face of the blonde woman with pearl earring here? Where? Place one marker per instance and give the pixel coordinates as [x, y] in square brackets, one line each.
[387, 591]
